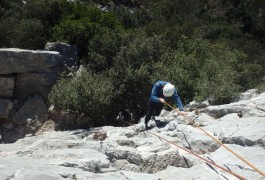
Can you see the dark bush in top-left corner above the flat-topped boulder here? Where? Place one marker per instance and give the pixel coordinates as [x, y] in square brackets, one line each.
[33, 21]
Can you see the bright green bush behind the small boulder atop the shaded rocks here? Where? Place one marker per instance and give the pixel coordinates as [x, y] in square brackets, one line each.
[82, 26]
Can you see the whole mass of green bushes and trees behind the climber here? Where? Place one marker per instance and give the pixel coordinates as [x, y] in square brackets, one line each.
[208, 49]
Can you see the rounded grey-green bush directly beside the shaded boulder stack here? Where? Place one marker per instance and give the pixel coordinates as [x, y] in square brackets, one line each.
[85, 93]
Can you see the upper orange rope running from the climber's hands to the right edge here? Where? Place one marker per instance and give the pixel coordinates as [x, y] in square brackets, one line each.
[244, 160]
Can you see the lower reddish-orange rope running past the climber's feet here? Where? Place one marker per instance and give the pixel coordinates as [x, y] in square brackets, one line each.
[202, 158]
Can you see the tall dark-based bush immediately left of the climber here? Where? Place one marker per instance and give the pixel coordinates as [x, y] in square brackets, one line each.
[132, 70]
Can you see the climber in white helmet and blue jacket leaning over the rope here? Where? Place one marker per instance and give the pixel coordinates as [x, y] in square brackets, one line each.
[161, 91]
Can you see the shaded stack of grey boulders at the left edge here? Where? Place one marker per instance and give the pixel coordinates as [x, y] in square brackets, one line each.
[26, 78]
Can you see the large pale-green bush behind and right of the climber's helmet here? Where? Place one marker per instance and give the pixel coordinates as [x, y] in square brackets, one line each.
[201, 69]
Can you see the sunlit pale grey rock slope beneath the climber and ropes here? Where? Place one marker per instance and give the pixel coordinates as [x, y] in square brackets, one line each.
[132, 153]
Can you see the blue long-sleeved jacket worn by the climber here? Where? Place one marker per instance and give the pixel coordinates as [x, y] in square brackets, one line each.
[157, 92]
